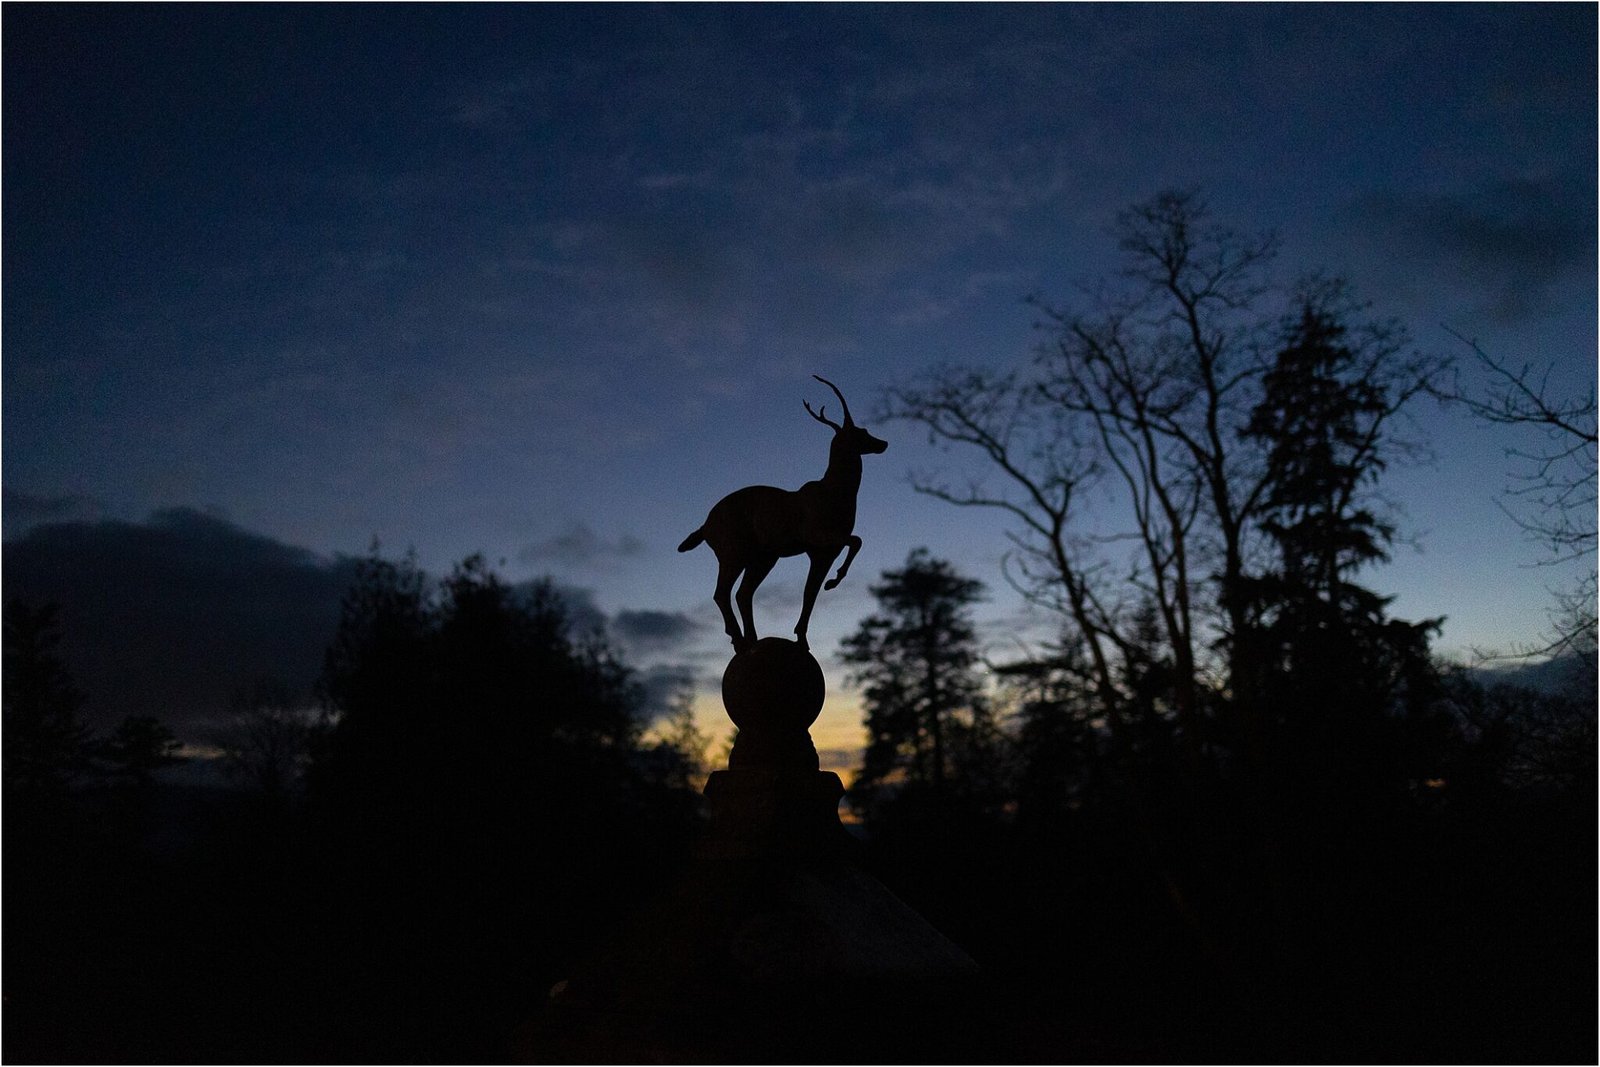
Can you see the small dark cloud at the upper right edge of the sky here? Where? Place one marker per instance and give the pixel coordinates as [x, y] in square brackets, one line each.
[1516, 241]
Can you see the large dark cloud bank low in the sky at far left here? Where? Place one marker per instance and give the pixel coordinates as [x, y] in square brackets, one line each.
[172, 617]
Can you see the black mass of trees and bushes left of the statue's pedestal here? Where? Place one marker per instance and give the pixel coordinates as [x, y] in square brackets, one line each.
[479, 809]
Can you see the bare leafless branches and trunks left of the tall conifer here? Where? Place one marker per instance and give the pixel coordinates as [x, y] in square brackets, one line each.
[1143, 386]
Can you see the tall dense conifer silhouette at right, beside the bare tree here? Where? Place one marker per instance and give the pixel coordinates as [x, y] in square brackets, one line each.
[1322, 644]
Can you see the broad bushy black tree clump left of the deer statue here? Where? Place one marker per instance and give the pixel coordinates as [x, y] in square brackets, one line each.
[468, 709]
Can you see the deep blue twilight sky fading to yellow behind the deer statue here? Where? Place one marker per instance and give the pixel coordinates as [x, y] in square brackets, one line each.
[548, 281]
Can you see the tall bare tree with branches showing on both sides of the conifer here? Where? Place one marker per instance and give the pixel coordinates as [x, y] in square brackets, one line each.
[1145, 390]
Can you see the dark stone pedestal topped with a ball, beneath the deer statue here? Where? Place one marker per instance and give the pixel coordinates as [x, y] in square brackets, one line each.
[774, 946]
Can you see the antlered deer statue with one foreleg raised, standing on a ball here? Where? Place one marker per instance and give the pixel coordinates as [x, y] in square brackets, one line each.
[753, 529]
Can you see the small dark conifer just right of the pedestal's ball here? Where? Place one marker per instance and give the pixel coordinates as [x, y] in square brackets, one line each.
[918, 665]
